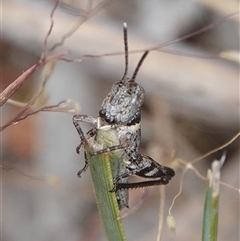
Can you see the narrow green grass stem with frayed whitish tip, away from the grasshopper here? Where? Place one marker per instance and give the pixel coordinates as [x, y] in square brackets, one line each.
[210, 219]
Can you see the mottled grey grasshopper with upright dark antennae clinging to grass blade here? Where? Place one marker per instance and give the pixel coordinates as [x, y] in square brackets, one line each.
[119, 123]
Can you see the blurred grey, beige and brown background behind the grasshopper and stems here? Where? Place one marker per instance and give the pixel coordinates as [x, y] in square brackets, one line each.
[191, 107]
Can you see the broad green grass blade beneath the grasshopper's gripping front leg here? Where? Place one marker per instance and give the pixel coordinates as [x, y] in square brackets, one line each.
[101, 174]
